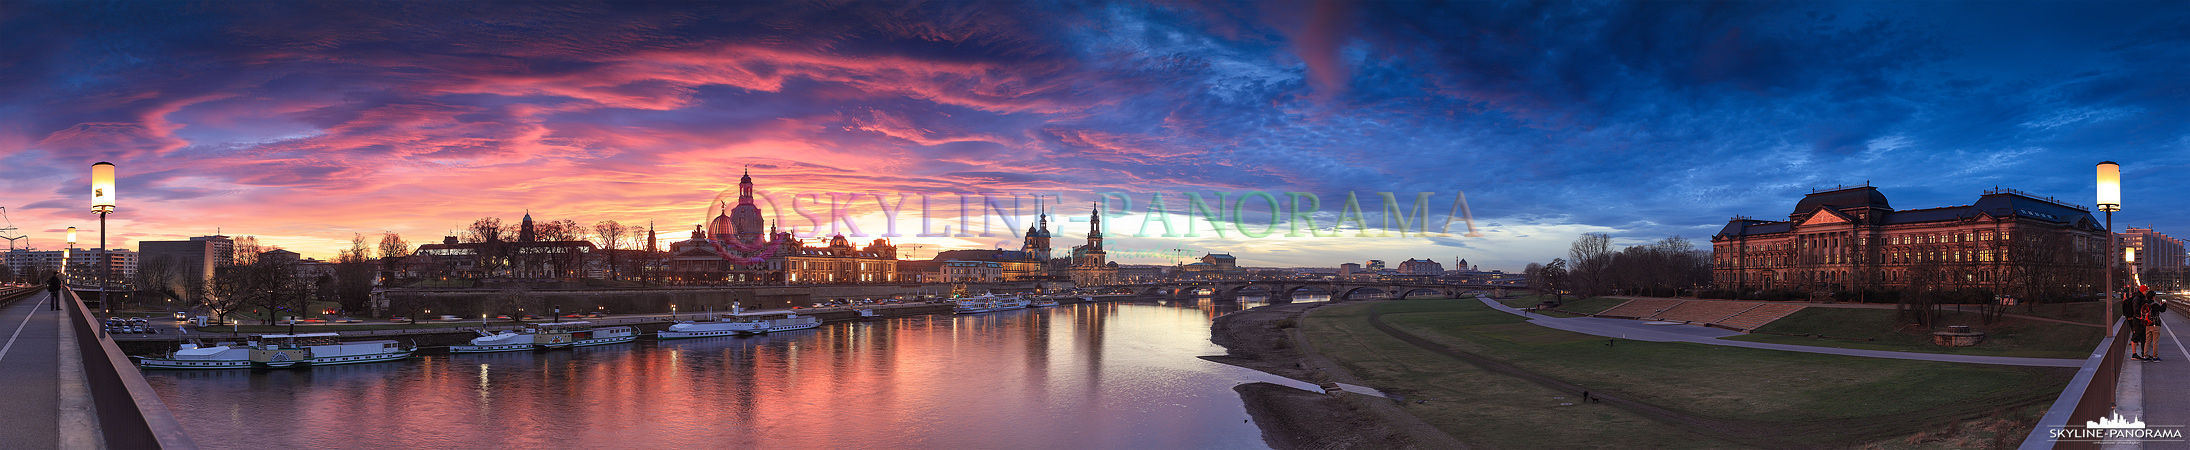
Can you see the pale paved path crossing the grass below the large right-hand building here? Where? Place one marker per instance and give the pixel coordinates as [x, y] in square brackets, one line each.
[1637, 330]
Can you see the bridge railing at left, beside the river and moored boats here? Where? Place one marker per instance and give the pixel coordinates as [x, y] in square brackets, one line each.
[130, 414]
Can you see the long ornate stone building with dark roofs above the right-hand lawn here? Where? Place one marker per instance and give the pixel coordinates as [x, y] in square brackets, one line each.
[1841, 240]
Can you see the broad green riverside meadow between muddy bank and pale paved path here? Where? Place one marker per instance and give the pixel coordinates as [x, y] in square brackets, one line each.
[1863, 398]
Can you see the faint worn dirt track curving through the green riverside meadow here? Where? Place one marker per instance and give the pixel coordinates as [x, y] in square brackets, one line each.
[1825, 434]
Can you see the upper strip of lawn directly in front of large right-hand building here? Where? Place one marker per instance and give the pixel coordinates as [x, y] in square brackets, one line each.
[2027, 339]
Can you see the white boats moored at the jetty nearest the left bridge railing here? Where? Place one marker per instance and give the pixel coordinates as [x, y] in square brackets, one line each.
[279, 352]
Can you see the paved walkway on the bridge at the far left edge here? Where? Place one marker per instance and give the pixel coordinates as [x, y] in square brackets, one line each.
[30, 379]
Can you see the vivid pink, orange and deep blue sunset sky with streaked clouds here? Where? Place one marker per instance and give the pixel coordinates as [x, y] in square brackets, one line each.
[310, 122]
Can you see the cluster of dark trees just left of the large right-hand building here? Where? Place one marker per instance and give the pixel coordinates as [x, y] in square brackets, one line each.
[1593, 269]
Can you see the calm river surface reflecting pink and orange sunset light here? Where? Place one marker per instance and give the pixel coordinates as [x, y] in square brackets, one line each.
[1072, 376]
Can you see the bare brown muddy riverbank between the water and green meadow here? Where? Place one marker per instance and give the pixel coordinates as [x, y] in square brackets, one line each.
[1267, 339]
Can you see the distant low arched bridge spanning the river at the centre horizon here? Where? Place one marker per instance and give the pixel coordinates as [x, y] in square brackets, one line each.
[1282, 291]
